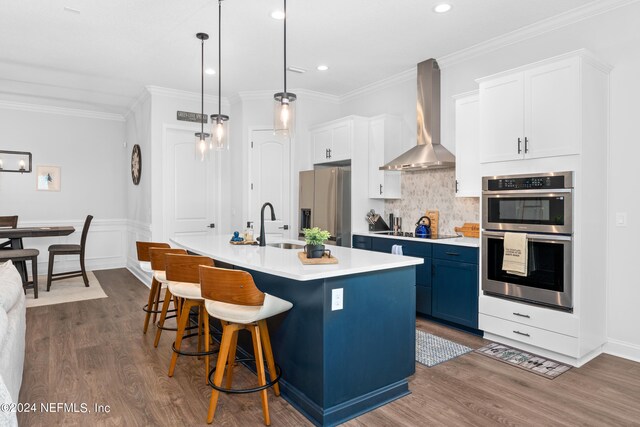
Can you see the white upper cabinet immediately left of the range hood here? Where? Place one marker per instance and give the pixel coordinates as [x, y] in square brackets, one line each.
[385, 137]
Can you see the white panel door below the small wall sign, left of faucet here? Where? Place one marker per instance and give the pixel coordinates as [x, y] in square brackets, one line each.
[190, 187]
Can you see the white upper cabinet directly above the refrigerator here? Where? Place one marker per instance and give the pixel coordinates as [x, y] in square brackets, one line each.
[332, 141]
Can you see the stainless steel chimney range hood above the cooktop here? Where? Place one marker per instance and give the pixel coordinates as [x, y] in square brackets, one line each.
[428, 154]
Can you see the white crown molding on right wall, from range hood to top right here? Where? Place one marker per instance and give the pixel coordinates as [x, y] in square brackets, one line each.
[541, 27]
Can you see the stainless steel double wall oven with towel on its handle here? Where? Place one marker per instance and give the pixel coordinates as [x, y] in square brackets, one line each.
[541, 206]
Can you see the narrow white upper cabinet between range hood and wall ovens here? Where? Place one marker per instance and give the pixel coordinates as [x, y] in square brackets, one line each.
[468, 177]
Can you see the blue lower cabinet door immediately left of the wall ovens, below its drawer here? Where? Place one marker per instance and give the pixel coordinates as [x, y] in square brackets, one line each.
[455, 292]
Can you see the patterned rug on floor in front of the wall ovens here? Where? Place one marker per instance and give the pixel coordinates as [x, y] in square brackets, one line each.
[529, 362]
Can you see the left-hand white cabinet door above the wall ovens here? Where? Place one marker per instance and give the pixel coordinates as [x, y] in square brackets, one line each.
[502, 119]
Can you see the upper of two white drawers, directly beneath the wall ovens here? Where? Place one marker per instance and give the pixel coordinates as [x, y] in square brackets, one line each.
[538, 317]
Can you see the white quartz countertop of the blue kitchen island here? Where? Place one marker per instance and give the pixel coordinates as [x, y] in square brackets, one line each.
[285, 262]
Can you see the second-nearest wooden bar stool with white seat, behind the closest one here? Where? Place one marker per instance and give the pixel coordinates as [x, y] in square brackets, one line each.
[183, 277]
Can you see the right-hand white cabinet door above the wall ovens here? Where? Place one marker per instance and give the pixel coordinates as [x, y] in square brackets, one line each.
[552, 109]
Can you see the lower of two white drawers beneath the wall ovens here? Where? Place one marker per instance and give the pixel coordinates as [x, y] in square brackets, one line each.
[547, 340]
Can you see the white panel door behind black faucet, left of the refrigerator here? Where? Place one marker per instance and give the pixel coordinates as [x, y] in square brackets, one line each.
[270, 178]
